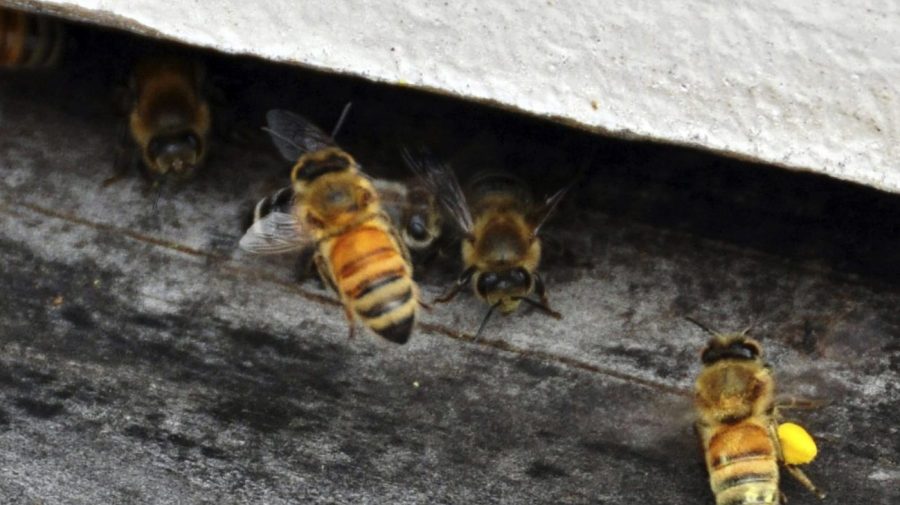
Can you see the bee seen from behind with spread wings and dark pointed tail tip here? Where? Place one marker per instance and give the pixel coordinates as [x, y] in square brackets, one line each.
[332, 205]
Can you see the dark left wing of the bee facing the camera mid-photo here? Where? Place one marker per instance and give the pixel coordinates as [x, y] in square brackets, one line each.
[440, 180]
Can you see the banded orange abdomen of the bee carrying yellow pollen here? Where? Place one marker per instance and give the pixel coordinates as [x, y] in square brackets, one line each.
[742, 464]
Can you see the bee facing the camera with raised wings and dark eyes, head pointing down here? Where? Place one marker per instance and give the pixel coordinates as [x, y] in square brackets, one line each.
[500, 223]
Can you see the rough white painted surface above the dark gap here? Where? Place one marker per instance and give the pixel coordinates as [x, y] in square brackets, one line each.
[804, 84]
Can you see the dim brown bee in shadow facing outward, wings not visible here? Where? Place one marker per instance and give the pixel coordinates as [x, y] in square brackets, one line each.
[168, 122]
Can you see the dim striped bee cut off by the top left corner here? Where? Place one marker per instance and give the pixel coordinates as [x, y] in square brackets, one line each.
[30, 40]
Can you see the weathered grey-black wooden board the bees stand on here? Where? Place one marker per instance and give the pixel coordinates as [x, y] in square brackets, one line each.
[144, 360]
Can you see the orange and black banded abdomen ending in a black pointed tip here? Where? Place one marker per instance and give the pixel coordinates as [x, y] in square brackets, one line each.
[374, 279]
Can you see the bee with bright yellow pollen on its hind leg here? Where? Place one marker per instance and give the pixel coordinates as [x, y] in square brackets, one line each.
[737, 423]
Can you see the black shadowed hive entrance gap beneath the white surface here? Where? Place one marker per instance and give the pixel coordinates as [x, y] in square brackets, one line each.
[799, 216]
